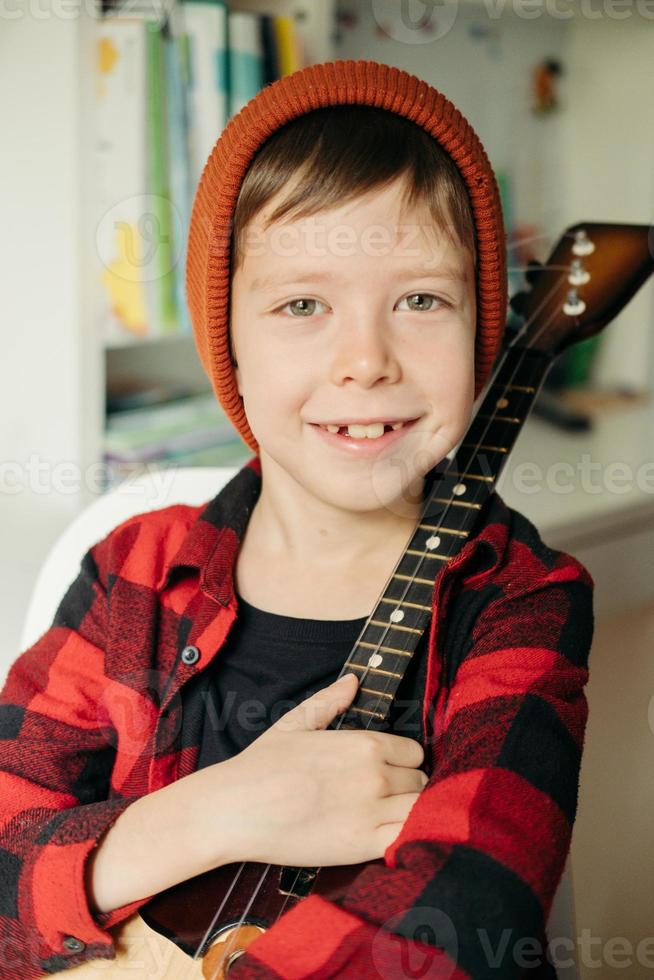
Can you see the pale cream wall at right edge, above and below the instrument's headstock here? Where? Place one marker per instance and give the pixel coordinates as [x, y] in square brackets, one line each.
[608, 140]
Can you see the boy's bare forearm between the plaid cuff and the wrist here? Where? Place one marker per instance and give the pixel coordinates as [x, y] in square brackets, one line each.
[162, 838]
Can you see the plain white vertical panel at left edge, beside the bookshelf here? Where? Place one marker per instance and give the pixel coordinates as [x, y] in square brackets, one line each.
[45, 305]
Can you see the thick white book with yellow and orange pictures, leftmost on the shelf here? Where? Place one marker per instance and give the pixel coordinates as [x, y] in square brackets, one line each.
[133, 235]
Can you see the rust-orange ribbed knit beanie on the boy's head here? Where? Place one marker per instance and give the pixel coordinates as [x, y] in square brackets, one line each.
[331, 83]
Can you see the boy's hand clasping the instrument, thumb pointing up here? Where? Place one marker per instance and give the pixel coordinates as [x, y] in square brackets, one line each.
[308, 797]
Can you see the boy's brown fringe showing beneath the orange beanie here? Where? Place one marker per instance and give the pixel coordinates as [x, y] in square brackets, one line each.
[340, 152]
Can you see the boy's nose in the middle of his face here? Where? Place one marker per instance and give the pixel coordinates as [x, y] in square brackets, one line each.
[363, 352]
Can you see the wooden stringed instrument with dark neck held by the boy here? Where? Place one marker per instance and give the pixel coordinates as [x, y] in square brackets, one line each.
[200, 927]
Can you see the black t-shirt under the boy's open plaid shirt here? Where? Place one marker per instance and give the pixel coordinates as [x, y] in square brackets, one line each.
[270, 663]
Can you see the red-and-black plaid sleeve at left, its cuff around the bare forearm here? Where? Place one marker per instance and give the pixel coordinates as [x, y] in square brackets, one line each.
[57, 750]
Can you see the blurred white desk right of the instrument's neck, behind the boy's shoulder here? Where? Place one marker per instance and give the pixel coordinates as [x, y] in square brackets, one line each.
[604, 515]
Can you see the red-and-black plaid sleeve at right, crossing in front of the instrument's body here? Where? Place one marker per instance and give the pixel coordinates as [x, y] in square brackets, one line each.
[465, 889]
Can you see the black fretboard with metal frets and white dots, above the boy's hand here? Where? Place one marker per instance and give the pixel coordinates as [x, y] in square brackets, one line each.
[455, 493]
